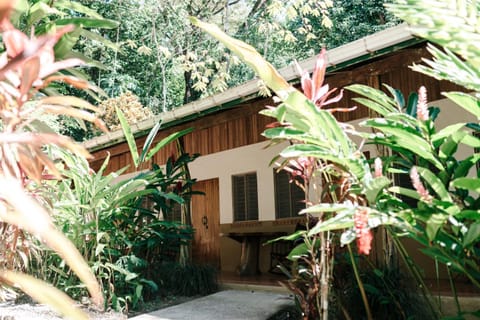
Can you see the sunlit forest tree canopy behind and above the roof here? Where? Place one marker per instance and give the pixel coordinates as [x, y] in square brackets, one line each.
[157, 55]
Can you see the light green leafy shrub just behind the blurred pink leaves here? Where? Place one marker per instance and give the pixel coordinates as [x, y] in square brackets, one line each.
[88, 207]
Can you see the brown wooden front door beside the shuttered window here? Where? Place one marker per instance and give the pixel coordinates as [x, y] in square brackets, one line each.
[206, 222]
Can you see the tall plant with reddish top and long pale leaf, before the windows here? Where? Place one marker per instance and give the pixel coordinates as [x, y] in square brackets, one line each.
[301, 120]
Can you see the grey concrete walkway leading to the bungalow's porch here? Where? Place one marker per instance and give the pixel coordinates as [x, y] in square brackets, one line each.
[226, 305]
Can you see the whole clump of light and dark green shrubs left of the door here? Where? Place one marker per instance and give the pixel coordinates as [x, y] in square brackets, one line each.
[120, 226]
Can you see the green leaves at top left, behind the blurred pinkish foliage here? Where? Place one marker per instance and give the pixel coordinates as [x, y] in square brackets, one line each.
[42, 17]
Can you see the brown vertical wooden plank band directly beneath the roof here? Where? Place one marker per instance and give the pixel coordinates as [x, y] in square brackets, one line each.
[243, 125]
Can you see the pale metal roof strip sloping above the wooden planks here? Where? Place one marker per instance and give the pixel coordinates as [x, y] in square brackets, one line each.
[360, 50]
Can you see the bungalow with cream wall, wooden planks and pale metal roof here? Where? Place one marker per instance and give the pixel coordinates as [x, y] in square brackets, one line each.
[246, 202]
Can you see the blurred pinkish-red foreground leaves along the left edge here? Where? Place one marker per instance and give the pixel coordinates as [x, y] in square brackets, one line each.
[24, 164]
